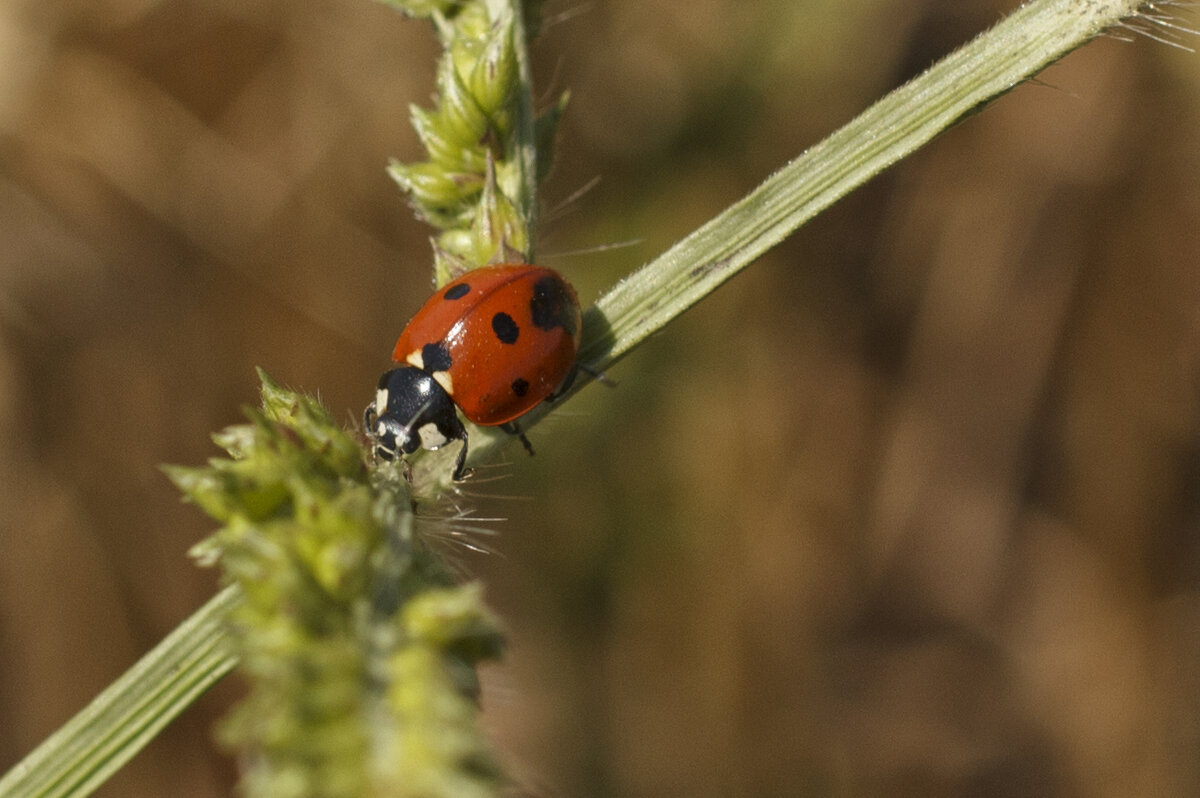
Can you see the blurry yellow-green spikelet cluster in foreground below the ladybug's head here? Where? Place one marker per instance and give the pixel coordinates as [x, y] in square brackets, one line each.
[359, 651]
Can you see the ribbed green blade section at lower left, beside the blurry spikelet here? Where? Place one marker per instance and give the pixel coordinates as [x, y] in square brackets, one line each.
[107, 734]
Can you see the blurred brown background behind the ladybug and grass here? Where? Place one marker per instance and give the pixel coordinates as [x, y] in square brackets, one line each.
[910, 508]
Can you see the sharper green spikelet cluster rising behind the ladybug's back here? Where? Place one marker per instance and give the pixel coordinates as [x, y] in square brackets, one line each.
[473, 185]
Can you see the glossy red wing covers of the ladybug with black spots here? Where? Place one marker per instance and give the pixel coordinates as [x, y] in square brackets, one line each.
[500, 340]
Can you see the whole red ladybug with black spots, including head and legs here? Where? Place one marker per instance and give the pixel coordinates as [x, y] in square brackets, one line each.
[495, 344]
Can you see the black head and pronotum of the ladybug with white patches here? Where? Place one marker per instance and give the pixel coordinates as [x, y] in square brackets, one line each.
[411, 412]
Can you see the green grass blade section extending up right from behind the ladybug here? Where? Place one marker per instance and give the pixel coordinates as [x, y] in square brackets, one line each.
[993, 64]
